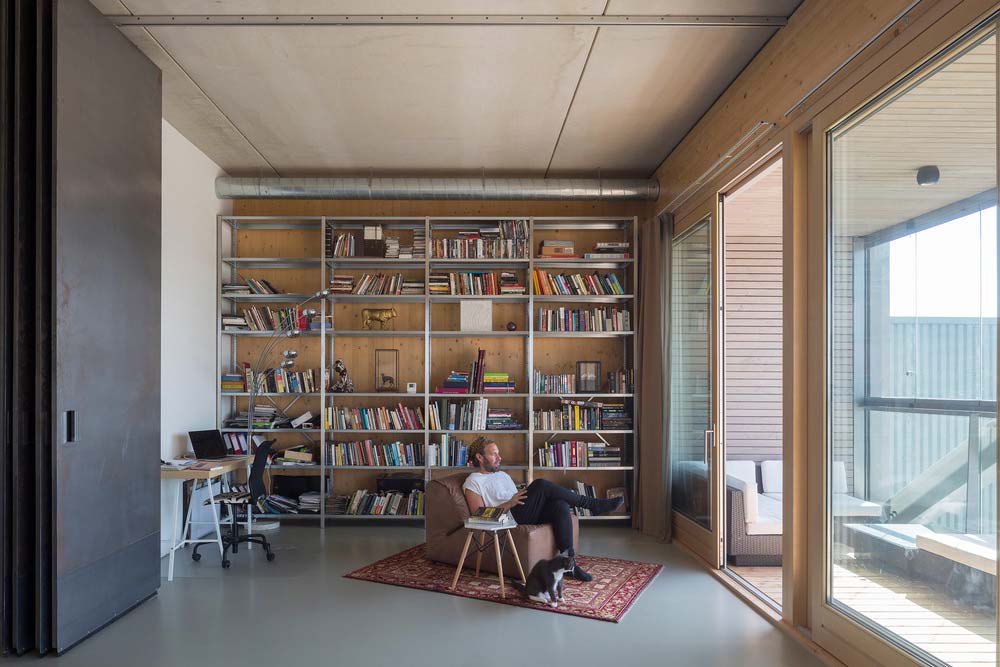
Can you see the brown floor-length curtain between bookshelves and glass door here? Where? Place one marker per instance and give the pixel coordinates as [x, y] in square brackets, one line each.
[651, 507]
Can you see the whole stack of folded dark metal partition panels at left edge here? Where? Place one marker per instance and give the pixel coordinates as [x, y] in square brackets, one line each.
[79, 324]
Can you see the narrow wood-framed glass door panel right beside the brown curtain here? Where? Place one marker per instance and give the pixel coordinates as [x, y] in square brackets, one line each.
[692, 435]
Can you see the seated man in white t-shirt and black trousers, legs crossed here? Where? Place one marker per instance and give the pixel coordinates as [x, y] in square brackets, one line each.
[541, 502]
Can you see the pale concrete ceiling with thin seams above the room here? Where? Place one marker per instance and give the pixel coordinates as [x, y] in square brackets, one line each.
[532, 101]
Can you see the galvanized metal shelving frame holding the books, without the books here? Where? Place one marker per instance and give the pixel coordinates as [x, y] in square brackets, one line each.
[232, 266]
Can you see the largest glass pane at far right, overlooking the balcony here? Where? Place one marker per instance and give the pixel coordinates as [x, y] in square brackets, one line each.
[912, 360]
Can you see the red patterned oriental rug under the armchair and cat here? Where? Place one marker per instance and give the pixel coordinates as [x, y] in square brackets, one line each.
[616, 585]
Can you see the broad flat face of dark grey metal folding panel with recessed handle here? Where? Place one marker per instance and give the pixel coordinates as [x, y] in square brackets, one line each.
[107, 292]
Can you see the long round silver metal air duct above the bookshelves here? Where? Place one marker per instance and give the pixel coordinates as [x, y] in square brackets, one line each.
[560, 189]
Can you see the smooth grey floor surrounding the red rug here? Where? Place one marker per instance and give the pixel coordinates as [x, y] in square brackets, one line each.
[299, 610]
